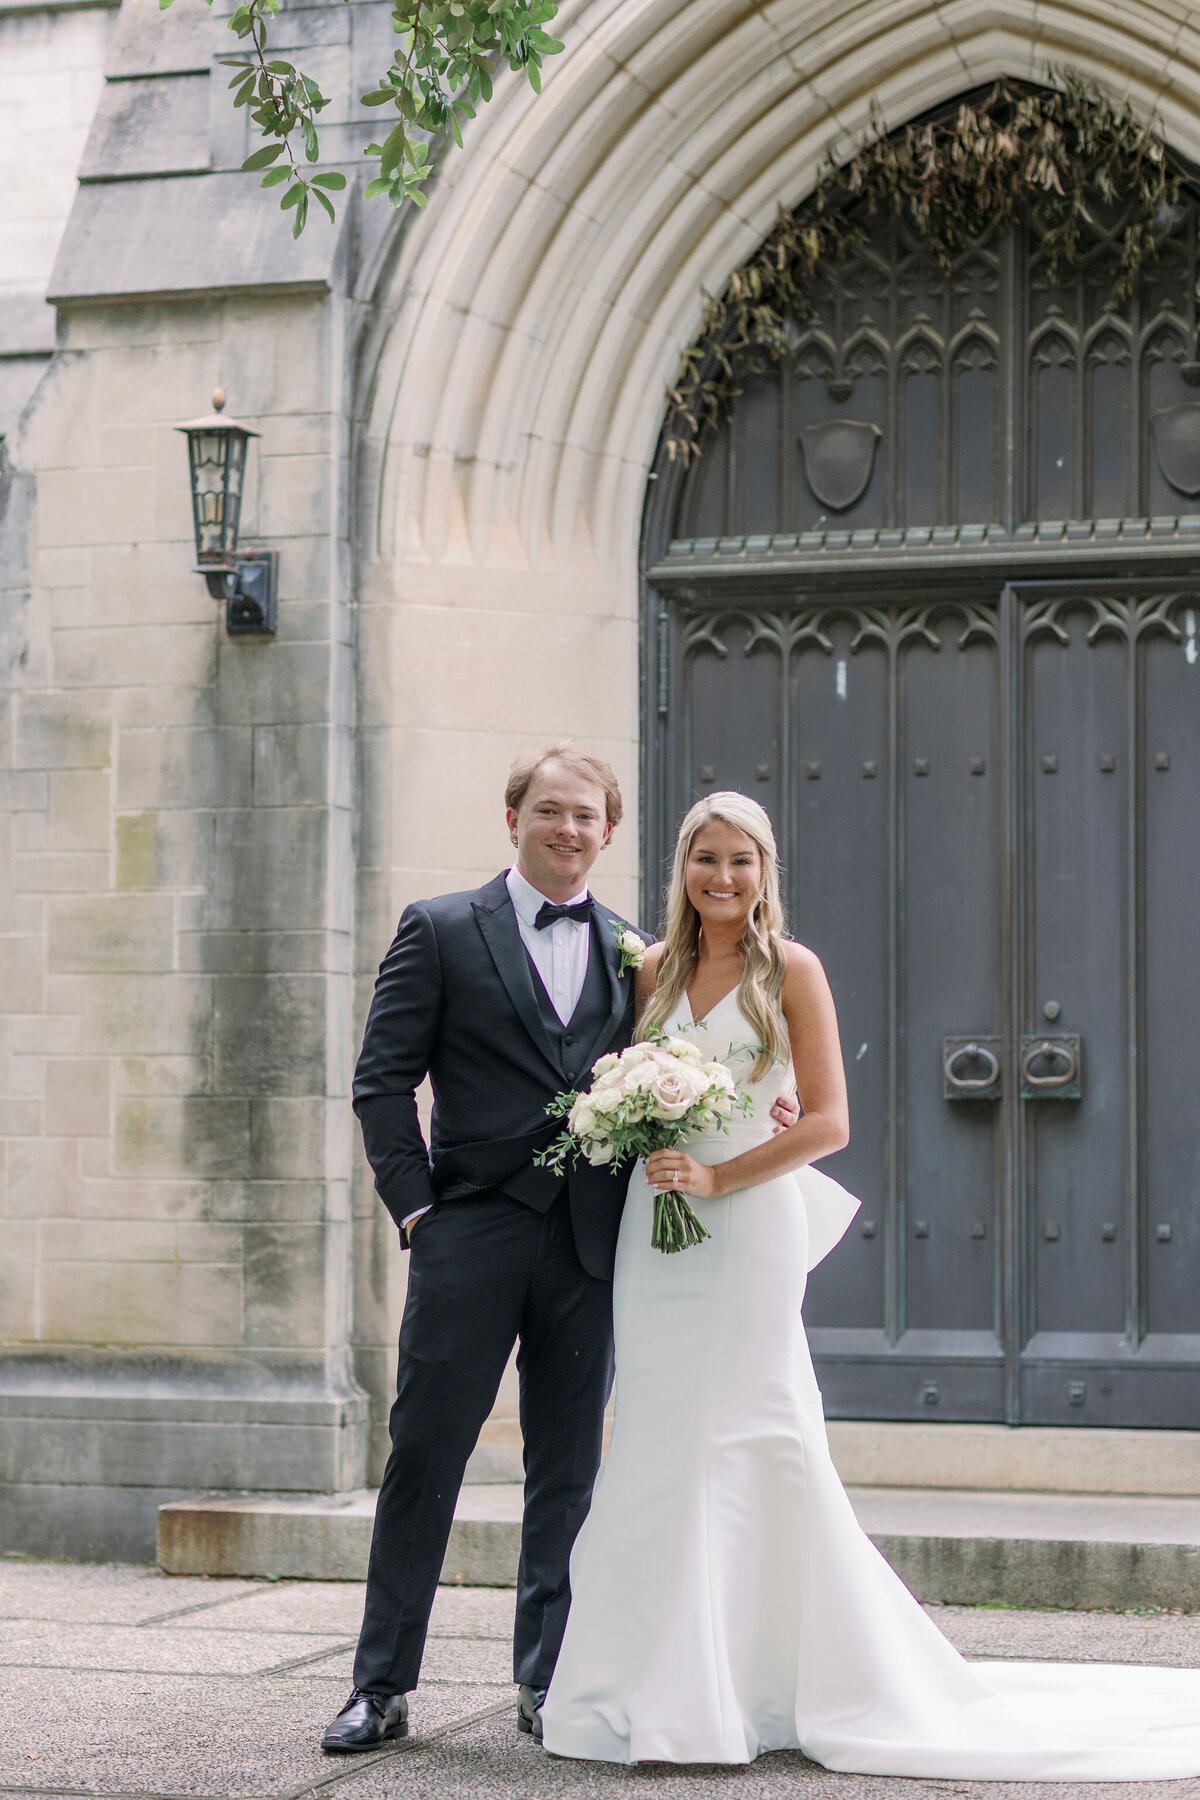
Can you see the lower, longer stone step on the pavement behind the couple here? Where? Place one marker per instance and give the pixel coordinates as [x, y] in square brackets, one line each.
[963, 1547]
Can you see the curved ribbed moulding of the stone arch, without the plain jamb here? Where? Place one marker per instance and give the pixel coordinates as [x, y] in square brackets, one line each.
[539, 309]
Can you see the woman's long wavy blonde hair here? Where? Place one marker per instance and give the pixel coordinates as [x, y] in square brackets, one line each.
[762, 942]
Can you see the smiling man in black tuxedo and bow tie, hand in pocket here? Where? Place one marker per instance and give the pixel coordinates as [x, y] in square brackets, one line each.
[505, 998]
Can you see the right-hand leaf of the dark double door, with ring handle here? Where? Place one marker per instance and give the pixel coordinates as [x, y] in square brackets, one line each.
[1106, 964]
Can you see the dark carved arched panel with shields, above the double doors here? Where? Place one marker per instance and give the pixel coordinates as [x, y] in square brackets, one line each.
[913, 399]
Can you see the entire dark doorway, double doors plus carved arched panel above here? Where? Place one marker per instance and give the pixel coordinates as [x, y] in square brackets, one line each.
[933, 597]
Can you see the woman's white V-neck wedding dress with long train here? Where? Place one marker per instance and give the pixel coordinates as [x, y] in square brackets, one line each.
[726, 1599]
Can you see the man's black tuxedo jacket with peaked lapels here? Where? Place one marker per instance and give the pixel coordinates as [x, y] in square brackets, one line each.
[456, 1002]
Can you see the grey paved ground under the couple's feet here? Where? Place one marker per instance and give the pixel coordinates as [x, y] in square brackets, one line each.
[136, 1686]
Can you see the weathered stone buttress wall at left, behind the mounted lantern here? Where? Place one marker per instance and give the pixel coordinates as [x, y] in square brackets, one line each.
[175, 1009]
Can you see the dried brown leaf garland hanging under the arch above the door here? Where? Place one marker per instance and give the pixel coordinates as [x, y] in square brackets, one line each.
[1057, 157]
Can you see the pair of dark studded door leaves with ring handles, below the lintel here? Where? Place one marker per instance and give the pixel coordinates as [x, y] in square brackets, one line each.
[987, 807]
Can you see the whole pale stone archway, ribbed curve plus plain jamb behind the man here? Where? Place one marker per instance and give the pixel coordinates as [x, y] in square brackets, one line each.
[526, 327]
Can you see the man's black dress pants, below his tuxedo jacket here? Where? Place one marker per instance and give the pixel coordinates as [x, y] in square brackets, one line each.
[485, 1275]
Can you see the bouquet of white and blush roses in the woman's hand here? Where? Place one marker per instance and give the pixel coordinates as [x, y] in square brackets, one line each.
[652, 1097]
